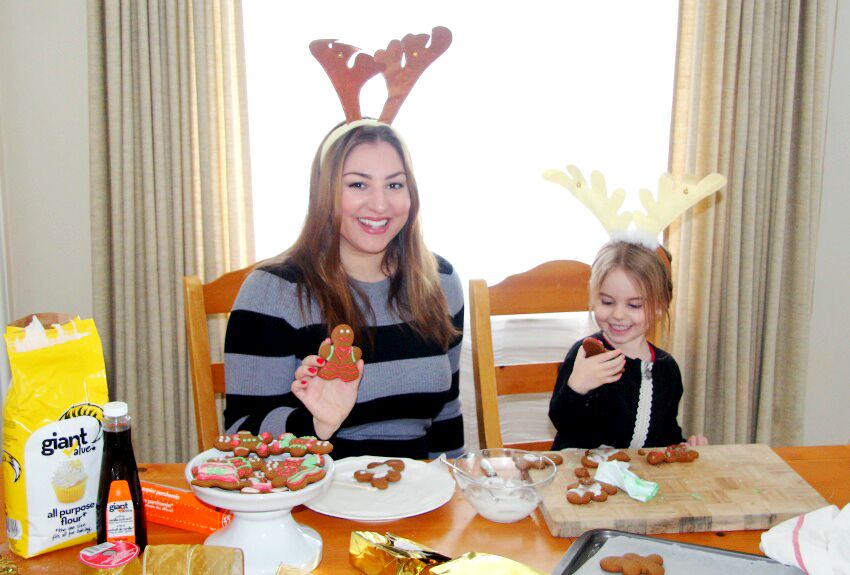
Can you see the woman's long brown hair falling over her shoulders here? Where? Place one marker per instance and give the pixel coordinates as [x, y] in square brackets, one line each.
[415, 290]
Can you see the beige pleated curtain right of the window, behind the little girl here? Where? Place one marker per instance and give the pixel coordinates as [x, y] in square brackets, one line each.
[749, 101]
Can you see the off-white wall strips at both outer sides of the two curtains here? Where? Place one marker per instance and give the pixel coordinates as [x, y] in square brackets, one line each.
[45, 187]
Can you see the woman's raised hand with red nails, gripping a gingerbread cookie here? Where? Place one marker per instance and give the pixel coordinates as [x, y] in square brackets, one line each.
[330, 401]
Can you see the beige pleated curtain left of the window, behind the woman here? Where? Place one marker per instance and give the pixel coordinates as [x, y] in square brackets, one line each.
[170, 193]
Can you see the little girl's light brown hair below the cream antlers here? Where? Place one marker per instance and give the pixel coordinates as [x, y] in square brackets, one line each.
[646, 268]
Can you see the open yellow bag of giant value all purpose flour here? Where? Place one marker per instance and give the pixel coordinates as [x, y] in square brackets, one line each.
[52, 435]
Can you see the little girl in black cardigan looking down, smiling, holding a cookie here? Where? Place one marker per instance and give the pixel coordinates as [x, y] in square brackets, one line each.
[628, 396]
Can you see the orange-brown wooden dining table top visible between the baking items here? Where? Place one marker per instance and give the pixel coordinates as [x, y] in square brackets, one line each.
[455, 528]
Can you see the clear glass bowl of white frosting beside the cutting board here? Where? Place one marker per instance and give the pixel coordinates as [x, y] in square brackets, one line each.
[503, 485]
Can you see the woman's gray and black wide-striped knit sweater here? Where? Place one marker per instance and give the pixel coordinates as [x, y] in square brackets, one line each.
[408, 403]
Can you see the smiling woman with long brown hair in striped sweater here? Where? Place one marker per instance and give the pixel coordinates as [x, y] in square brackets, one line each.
[360, 260]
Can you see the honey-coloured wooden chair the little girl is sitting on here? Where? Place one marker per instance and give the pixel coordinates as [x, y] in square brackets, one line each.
[558, 286]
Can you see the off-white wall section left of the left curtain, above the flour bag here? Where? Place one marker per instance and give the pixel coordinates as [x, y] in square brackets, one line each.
[44, 142]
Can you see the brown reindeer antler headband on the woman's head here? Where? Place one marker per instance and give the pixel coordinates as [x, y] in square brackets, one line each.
[401, 64]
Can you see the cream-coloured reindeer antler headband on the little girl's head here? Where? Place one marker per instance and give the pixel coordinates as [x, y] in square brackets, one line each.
[675, 197]
